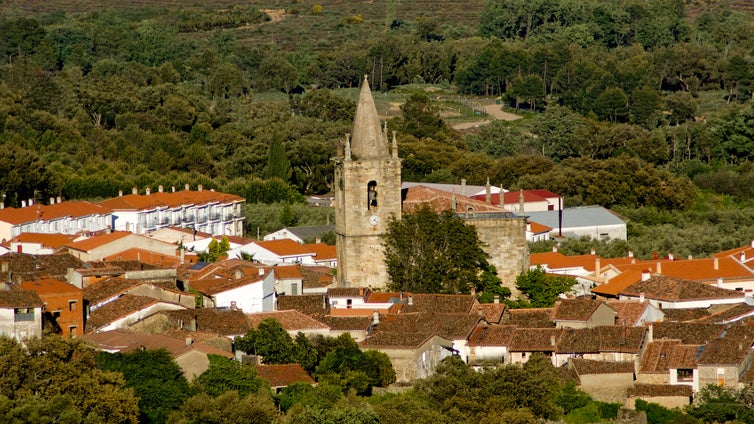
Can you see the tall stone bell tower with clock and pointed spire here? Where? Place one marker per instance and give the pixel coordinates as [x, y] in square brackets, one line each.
[367, 192]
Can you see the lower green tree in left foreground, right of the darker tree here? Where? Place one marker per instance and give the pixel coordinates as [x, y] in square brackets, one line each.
[224, 375]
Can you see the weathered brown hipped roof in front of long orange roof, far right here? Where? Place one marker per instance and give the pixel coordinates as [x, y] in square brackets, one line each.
[665, 288]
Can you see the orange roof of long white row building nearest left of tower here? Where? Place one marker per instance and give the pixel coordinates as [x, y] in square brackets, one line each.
[168, 199]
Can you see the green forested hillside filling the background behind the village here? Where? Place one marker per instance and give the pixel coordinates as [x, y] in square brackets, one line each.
[641, 106]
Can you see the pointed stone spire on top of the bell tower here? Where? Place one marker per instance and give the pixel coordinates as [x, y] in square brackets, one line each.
[368, 141]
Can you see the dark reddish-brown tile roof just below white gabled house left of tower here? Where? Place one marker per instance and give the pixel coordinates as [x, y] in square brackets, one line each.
[220, 321]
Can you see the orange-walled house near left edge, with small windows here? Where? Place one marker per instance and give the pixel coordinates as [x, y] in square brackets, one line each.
[63, 305]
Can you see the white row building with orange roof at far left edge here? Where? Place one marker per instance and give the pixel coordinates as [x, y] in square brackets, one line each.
[79, 217]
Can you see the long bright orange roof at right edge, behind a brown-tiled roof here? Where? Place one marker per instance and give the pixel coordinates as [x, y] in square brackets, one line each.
[703, 269]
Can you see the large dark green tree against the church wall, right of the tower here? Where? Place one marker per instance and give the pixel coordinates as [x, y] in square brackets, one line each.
[426, 252]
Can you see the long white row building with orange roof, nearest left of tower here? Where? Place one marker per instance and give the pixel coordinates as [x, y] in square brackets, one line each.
[201, 210]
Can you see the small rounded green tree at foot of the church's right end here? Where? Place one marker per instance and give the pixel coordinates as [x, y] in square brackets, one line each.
[541, 290]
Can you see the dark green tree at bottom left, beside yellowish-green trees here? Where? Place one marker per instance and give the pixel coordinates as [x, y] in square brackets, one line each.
[154, 376]
